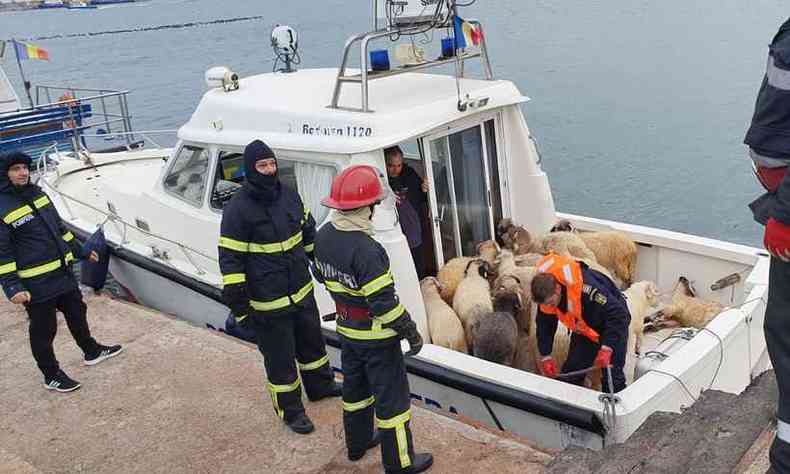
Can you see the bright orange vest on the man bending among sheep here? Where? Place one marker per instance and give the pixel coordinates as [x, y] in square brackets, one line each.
[568, 273]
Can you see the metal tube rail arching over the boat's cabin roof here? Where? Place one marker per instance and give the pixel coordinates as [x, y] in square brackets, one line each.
[366, 75]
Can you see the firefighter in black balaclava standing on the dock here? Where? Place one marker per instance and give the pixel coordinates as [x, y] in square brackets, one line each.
[266, 238]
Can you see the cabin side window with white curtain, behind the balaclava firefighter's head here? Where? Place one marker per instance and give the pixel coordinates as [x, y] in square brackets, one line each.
[312, 181]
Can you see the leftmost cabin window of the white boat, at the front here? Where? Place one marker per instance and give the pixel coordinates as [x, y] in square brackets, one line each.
[187, 176]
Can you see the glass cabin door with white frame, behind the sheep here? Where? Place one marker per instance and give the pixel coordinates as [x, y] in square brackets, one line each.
[463, 168]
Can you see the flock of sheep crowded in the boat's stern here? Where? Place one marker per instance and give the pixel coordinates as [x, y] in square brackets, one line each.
[483, 306]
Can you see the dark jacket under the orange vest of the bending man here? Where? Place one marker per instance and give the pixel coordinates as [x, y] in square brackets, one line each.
[603, 308]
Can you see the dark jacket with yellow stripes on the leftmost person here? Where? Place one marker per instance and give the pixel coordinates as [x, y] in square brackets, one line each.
[36, 250]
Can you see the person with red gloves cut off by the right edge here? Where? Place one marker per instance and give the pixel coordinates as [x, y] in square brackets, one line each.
[769, 147]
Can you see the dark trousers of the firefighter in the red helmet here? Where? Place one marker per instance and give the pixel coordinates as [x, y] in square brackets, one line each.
[374, 382]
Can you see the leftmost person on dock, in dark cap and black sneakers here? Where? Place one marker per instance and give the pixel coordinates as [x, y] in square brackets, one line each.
[36, 252]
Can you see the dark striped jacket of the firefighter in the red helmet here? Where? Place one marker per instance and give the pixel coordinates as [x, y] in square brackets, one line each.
[356, 271]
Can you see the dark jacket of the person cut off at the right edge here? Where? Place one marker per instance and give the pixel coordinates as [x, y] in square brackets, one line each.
[769, 132]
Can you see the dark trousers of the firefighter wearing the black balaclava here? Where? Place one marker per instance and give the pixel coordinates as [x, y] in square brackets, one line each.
[294, 353]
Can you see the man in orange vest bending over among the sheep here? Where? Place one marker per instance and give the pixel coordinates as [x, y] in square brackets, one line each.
[590, 306]
